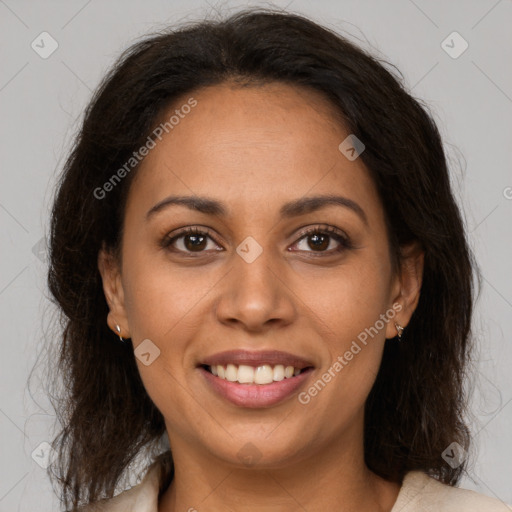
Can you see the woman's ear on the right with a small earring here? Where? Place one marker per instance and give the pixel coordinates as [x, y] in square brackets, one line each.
[408, 286]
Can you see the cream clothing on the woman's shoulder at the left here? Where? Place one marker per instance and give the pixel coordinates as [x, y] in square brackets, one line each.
[140, 498]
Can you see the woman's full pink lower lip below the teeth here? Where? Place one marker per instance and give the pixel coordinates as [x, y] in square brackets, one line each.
[255, 395]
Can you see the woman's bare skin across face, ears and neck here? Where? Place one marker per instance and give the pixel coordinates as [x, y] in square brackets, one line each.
[255, 148]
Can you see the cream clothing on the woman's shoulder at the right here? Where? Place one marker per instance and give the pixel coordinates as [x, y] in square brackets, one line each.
[422, 493]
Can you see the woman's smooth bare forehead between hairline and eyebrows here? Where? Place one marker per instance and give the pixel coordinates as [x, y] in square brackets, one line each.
[251, 145]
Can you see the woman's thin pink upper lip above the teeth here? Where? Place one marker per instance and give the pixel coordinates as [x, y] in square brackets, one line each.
[256, 358]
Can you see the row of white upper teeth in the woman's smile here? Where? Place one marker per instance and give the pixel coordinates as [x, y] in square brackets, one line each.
[245, 374]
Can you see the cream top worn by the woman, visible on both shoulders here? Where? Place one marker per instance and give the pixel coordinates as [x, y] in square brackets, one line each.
[419, 493]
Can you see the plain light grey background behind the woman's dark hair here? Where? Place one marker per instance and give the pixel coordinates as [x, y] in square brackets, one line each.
[41, 102]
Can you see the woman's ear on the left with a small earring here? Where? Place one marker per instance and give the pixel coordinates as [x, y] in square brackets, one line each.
[114, 294]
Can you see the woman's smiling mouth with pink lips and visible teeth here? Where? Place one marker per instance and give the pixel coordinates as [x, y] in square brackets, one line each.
[255, 379]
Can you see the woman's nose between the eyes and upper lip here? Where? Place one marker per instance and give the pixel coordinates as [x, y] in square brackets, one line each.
[255, 296]
